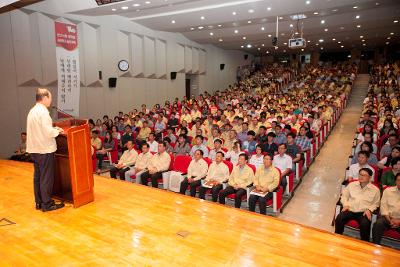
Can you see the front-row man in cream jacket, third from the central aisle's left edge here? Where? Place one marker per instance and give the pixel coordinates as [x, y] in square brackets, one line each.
[218, 172]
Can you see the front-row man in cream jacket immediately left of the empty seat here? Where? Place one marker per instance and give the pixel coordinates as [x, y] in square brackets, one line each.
[158, 164]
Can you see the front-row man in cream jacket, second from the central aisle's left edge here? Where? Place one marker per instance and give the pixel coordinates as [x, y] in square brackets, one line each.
[242, 176]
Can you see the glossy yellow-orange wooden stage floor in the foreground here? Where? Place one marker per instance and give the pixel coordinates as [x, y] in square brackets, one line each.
[130, 224]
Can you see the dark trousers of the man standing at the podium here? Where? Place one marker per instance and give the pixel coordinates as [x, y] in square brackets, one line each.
[43, 178]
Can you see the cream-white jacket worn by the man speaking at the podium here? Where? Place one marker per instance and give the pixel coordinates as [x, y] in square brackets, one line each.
[40, 131]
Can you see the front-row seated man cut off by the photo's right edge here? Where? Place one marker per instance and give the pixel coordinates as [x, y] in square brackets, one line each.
[390, 212]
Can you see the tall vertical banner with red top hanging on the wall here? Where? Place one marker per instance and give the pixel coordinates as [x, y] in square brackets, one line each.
[67, 54]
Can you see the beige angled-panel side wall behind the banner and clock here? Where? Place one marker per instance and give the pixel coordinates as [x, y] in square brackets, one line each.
[27, 60]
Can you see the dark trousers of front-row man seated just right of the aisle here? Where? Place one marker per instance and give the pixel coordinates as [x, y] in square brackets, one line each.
[346, 216]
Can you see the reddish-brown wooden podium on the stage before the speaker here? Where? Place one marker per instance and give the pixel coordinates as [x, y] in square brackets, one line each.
[73, 181]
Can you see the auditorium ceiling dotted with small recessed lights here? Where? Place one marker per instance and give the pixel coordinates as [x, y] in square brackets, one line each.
[239, 24]
